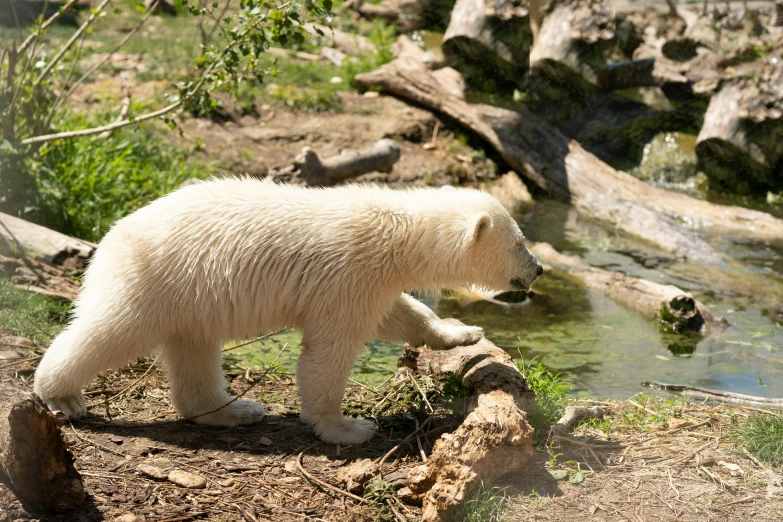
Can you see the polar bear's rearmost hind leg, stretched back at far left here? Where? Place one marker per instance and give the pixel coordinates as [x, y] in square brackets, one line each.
[79, 353]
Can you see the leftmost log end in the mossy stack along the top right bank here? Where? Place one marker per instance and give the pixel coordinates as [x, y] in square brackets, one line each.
[488, 39]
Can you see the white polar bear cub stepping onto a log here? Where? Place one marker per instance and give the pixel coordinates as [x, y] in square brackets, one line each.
[234, 257]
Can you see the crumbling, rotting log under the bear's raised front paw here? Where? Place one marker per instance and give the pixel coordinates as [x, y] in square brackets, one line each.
[495, 437]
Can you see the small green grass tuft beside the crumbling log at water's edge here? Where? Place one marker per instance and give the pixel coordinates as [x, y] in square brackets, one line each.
[550, 391]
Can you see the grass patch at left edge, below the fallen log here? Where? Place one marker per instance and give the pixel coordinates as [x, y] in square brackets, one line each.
[30, 315]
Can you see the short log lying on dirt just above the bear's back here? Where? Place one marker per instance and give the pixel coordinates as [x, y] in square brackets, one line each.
[309, 169]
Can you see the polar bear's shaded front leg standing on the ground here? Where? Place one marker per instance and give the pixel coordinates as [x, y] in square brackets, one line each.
[322, 375]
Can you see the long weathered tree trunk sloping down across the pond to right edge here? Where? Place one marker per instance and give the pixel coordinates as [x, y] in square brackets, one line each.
[544, 156]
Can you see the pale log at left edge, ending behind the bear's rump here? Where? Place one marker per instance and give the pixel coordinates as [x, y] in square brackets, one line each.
[20, 238]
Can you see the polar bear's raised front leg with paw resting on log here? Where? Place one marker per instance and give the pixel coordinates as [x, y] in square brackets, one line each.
[412, 321]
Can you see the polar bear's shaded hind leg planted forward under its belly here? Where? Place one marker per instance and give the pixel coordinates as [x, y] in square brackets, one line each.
[198, 387]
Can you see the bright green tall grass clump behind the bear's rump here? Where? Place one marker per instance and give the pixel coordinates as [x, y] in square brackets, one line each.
[83, 186]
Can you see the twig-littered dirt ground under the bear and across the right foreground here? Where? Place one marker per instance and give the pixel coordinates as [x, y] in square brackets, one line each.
[635, 466]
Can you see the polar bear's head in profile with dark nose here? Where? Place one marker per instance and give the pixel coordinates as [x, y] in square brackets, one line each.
[495, 255]
